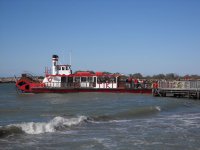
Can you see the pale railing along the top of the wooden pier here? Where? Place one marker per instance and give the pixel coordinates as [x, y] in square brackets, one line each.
[179, 85]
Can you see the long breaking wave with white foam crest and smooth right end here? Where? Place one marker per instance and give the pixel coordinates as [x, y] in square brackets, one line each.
[59, 123]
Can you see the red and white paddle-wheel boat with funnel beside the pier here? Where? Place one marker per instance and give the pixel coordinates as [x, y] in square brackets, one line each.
[60, 79]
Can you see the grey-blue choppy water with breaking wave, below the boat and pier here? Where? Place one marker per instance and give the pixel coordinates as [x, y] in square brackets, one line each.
[102, 121]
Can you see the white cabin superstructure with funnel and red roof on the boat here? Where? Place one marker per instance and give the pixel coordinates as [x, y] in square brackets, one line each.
[61, 76]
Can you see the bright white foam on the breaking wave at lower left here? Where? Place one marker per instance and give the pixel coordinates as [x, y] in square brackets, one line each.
[42, 127]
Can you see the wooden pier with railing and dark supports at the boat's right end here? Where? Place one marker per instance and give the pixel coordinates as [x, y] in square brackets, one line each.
[184, 89]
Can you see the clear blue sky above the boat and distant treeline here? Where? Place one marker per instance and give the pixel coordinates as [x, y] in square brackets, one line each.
[127, 36]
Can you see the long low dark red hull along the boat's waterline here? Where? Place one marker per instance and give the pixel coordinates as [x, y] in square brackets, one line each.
[74, 90]
